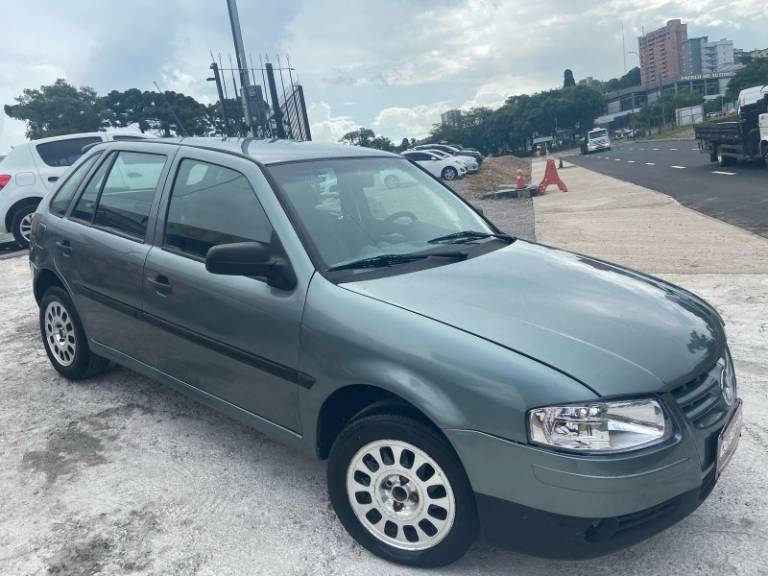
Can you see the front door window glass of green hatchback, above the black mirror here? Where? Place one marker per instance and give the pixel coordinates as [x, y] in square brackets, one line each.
[212, 205]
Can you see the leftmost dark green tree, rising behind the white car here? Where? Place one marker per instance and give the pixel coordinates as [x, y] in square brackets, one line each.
[57, 109]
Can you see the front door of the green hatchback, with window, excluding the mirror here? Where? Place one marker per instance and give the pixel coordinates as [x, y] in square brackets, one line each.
[235, 338]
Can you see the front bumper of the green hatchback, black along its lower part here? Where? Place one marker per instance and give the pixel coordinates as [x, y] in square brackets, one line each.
[563, 505]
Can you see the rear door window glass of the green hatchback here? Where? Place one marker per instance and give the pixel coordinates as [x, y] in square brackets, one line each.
[126, 199]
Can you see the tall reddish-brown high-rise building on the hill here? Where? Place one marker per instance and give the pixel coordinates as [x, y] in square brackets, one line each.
[660, 53]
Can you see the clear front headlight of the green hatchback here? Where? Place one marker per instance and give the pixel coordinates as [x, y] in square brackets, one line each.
[616, 426]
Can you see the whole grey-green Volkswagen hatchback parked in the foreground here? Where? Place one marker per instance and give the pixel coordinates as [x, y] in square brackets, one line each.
[346, 302]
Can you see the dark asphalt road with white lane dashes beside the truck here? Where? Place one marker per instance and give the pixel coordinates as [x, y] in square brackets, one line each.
[736, 194]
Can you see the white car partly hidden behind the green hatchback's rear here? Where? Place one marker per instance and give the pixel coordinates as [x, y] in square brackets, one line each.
[31, 170]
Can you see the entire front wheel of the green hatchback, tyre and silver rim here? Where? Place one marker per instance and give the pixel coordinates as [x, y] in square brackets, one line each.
[401, 492]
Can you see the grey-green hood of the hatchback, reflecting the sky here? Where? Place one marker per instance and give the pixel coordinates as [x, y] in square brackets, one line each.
[615, 330]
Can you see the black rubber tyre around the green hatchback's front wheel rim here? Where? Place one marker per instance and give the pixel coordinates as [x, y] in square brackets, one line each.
[394, 428]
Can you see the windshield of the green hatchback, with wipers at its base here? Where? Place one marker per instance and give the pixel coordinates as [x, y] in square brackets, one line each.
[355, 209]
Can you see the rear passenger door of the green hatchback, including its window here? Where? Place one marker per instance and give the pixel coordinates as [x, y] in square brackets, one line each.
[104, 245]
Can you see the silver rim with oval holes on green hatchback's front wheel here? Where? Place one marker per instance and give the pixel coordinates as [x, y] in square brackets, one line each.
[400, 495]
